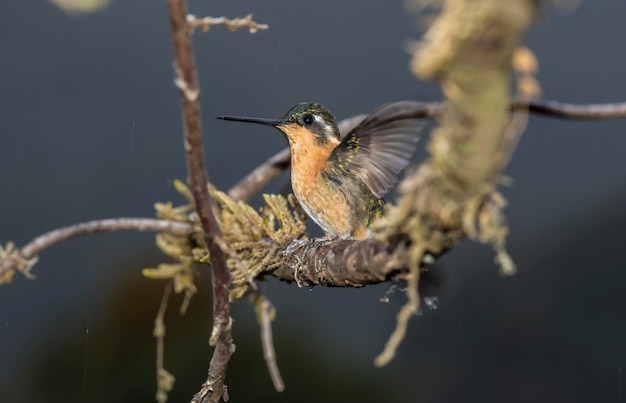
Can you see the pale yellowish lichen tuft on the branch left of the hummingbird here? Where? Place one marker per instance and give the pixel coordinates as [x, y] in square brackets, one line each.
[249, 238]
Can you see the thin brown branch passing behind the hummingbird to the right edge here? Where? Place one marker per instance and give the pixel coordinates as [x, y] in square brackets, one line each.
[275, 165]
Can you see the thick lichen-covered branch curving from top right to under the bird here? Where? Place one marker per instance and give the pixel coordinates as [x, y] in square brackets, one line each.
[469, 50]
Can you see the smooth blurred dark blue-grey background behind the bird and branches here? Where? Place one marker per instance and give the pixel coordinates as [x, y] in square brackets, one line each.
[90, 128]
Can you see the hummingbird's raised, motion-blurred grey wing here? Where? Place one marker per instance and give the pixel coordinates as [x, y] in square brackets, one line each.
[379, 147]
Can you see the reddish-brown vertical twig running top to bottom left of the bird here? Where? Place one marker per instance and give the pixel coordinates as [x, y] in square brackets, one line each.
[186, 79]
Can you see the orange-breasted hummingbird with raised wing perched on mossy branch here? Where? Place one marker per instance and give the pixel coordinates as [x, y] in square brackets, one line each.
[340, 182]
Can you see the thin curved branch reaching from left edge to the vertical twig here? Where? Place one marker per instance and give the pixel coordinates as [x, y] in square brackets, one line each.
[44, 241]
